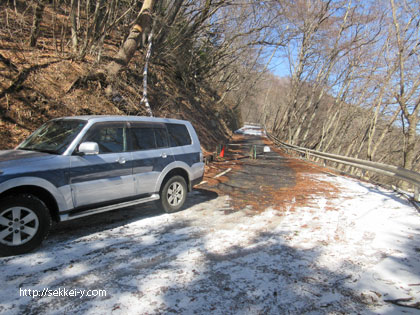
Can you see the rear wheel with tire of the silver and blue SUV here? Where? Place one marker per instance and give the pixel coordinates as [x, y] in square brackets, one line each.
[173, 194]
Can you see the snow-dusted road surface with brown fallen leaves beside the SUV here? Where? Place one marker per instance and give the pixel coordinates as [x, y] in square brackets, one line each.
[295, 240]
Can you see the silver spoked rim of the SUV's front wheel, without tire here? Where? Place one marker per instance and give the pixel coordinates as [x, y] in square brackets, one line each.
[18, 225]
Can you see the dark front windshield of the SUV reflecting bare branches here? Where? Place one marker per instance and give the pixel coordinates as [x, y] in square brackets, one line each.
[54, 136]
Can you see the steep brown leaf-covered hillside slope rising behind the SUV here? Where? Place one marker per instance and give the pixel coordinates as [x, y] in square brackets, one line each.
[36, 85]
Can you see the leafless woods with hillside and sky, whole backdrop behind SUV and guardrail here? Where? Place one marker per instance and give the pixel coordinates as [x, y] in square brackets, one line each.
[350, 84]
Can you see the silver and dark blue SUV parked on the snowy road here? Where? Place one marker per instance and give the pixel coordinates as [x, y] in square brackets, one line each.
[77, 166]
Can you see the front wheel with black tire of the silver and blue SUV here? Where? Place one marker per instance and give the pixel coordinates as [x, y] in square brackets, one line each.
[25, 222]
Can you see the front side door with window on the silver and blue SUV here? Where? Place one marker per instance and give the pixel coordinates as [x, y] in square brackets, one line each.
[103, 178]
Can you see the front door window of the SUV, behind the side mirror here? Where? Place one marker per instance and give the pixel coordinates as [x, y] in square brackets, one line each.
[110, 138]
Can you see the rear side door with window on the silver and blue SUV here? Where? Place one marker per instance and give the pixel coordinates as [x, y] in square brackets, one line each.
[151, 154]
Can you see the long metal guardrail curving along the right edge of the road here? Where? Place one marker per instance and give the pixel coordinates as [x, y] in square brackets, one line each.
[383, 169]
